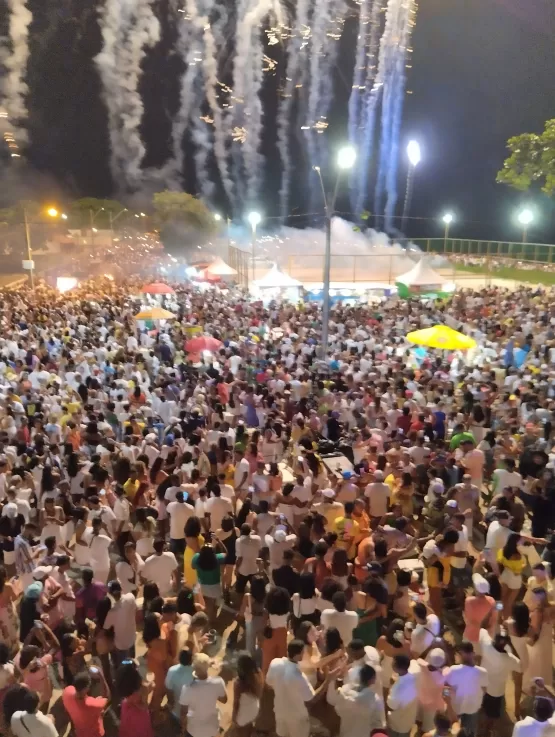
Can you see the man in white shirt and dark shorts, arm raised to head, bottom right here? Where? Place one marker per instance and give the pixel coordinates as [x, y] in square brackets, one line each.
[499, 665]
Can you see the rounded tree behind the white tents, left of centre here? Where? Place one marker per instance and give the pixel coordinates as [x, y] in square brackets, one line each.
[184, 221]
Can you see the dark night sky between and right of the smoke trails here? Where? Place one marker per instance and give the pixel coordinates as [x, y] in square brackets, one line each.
[482, 70]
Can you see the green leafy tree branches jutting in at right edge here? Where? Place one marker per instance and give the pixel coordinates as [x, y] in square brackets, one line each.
[531, 161]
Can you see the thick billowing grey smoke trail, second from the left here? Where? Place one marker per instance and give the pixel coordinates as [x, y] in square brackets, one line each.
[128, 27]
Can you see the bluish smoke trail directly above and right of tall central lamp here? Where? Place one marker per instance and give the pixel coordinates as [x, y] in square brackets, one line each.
[364, 137]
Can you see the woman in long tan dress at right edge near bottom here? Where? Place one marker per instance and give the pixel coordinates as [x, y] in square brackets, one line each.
[542, 614]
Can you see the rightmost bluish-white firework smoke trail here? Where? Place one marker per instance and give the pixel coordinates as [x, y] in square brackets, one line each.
[399, 23]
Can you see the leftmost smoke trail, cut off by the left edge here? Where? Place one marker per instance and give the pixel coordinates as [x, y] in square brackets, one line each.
[15, 55]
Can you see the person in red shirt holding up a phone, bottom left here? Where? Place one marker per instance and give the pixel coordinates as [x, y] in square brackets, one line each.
[86, 712]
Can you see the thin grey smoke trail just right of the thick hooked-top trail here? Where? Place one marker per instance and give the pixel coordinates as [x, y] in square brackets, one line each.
[294, 64]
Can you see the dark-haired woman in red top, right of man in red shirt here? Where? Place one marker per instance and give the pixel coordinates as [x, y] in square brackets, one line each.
[135, 715]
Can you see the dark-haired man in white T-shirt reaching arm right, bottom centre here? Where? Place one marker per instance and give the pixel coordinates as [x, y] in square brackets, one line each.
[292, 692]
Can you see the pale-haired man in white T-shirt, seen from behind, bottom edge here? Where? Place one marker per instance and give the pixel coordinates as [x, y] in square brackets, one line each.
[199, 701]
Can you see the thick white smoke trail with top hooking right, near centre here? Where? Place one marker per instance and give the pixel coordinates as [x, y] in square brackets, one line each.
[248, 71]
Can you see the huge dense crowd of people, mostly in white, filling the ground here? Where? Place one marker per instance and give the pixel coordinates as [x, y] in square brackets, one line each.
[358, 542]
